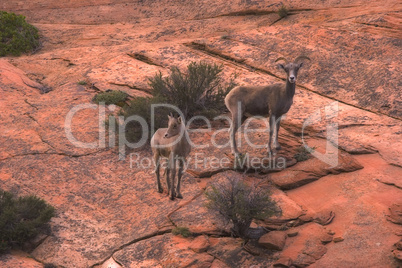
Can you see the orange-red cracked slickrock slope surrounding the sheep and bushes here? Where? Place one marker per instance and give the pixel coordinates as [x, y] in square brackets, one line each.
[108, 210]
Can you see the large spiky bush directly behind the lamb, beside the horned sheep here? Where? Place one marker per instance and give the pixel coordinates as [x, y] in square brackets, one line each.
[201, 88]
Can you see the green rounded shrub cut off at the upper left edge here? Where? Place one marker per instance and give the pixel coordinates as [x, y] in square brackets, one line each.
[16, 35]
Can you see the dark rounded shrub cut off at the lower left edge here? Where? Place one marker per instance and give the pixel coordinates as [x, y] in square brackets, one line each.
[21, 219]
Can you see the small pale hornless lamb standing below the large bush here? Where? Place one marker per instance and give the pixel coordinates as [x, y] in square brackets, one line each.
[171, 142]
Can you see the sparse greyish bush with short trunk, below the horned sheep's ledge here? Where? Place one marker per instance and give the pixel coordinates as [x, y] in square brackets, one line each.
[239, 204]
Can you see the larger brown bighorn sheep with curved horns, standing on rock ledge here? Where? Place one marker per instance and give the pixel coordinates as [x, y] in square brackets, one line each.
[273, 101]
